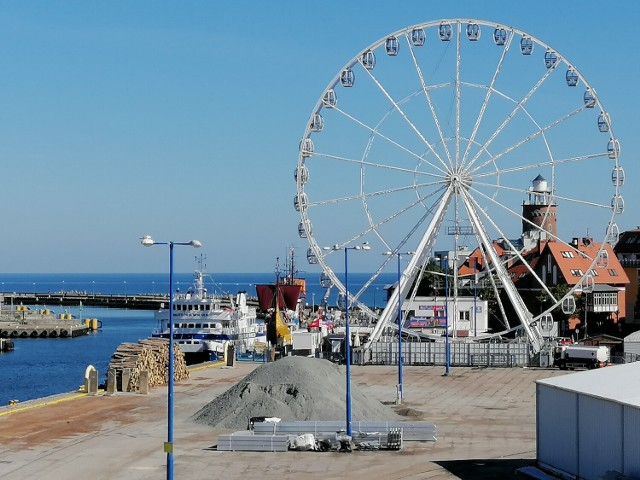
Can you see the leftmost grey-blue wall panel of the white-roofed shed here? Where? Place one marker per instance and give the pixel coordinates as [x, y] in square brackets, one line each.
[557, 428]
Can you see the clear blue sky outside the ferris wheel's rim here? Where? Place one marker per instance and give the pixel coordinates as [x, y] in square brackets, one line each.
[182, 119]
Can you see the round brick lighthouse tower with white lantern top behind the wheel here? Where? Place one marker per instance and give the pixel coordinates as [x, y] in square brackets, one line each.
[539, 213]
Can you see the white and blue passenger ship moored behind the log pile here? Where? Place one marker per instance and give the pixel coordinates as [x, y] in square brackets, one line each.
[203, 324]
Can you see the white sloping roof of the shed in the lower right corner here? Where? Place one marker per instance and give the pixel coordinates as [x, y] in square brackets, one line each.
[620, 383]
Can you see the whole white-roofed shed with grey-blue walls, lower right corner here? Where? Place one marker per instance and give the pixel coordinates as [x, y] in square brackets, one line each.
[587, 435]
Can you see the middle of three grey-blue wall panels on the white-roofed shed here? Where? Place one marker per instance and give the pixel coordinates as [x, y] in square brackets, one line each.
[600, 436]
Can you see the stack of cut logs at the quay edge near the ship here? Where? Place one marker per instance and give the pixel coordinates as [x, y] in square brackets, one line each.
[152, 355]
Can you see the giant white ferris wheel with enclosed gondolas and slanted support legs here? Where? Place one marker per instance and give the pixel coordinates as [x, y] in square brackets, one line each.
[460, 135]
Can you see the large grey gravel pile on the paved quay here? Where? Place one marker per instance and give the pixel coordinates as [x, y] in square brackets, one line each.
[294, 388]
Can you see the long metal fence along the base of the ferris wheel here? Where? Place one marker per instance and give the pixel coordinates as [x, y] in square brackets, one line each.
[434, 353]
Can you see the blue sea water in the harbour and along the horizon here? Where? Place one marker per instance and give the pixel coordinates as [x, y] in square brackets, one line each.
[47, 366]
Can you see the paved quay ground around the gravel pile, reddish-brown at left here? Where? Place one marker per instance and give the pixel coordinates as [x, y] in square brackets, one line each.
[485, 419]
